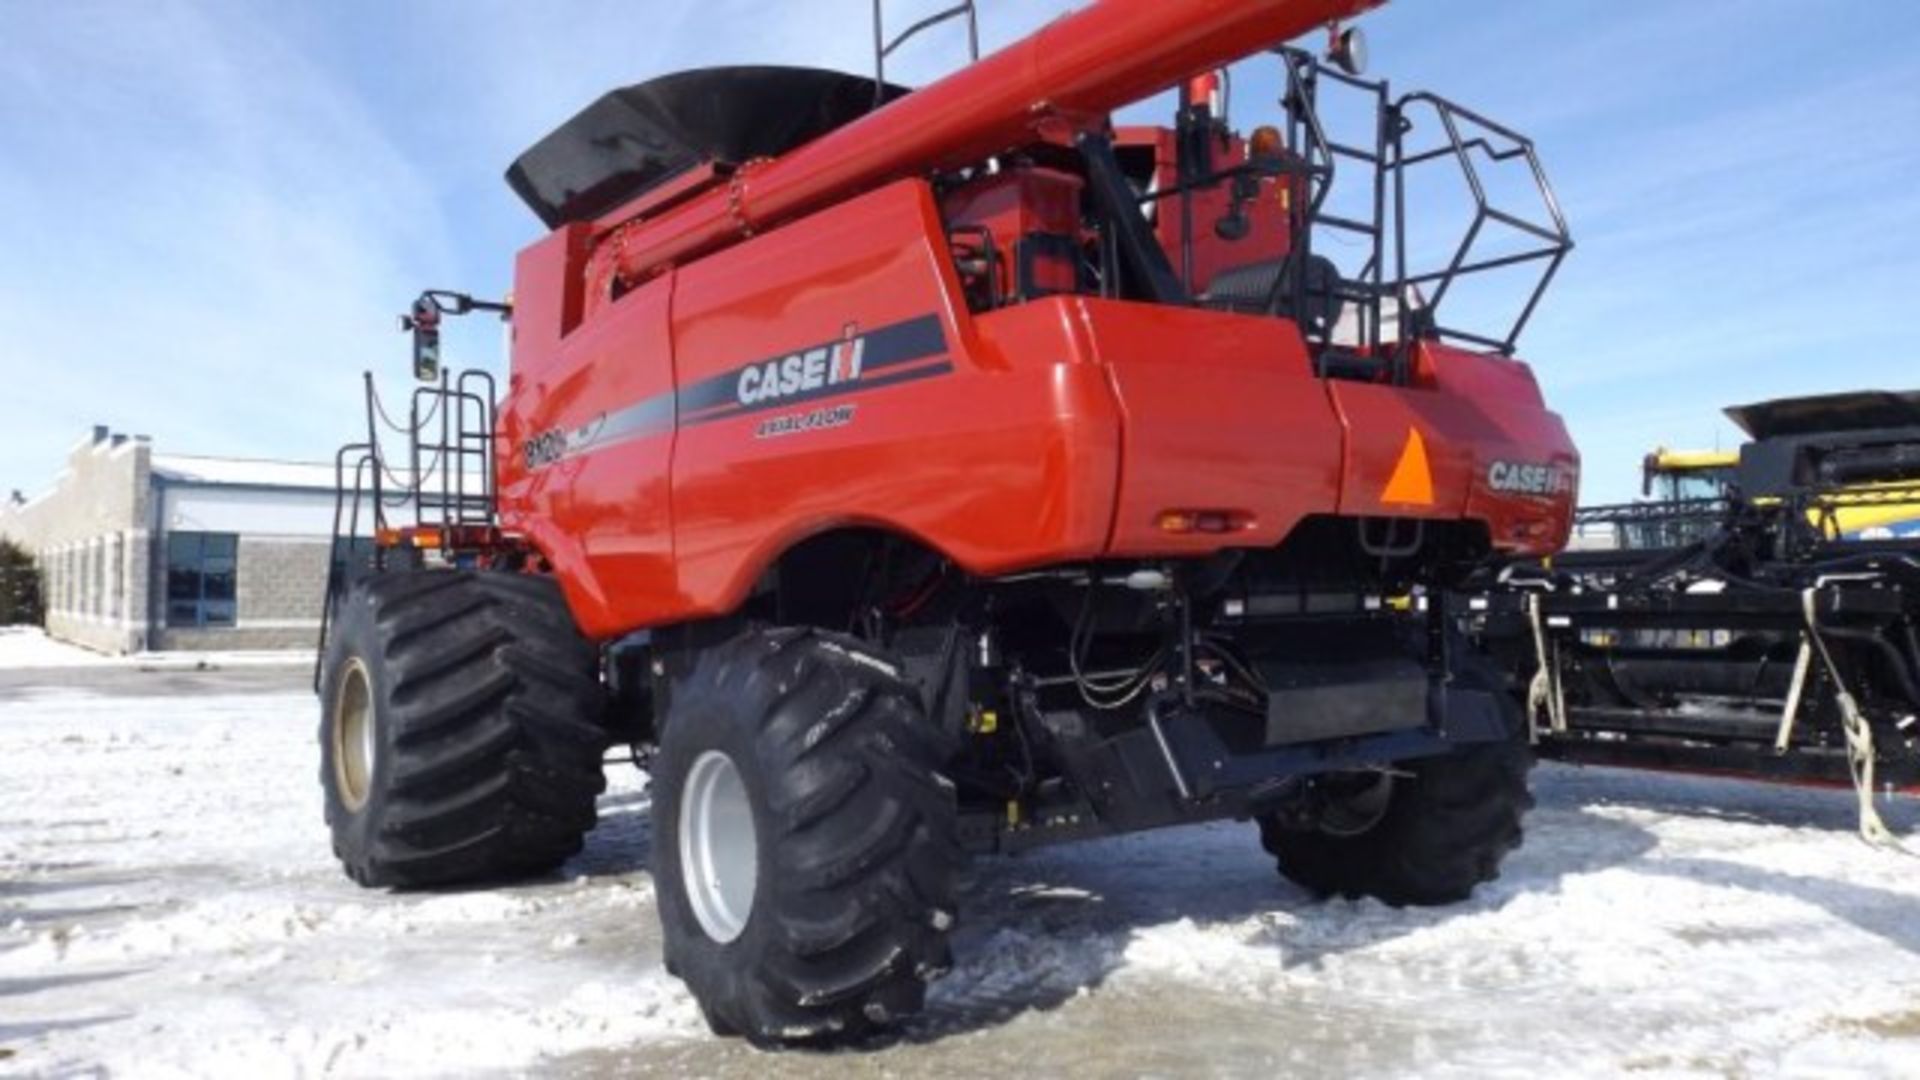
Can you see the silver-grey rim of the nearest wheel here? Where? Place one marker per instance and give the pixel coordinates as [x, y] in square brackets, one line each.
[719, 848]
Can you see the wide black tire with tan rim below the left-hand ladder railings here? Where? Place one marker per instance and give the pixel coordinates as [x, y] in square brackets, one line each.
[462, 729]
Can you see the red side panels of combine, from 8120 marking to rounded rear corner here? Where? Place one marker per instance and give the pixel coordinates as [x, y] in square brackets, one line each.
[821, 380]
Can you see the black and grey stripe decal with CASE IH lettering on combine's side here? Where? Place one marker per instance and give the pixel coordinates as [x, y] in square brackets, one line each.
[886, 356]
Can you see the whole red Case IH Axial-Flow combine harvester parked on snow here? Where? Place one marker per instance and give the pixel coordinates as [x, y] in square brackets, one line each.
[911, 476]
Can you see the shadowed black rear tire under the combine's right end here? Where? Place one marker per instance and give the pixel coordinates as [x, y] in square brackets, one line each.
[1439, 833]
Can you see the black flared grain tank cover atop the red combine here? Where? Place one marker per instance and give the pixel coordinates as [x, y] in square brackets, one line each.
[638, 137]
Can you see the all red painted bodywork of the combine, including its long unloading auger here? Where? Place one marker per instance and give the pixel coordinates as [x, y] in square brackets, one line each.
[665, 441]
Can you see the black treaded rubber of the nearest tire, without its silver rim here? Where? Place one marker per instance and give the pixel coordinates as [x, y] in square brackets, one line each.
[867, 852]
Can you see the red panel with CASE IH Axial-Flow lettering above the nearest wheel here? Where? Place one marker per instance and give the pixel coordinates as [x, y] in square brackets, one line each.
[828, 380]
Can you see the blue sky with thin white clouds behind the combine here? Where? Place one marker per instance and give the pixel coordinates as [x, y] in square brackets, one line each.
[210, 212]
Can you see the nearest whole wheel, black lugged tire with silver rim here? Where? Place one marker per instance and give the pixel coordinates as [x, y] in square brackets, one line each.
[804, 839]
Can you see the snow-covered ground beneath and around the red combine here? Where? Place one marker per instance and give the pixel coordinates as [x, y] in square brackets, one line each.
[170, 908]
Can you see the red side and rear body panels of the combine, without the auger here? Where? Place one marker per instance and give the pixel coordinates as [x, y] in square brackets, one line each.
[1059, 431]
